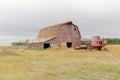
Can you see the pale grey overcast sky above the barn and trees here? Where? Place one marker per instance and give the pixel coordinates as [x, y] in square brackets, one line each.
[22, 19]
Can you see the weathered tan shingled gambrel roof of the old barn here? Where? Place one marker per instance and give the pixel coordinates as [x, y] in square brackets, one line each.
[48, 33]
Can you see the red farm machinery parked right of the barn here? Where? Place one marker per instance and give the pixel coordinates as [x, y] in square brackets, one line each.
[94, 43]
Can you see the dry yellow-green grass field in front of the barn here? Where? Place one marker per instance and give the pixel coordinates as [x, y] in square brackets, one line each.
[61, 64]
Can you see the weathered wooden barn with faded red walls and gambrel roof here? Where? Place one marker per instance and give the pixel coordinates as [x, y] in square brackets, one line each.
[60, 35]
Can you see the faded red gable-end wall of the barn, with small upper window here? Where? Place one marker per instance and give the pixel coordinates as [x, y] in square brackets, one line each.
[69, 33]
